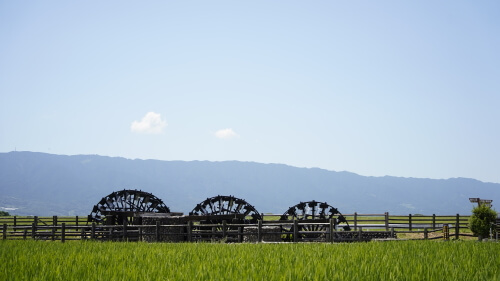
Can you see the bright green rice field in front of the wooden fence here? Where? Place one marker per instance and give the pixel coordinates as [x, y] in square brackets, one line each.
[394, 260]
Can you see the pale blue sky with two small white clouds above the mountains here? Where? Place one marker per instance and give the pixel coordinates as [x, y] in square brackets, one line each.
[371, 87]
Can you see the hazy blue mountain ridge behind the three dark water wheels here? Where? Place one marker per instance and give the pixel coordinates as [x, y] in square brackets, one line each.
[46, 184]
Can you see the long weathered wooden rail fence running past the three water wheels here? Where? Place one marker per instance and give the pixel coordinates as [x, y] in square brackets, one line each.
[364, 227]
